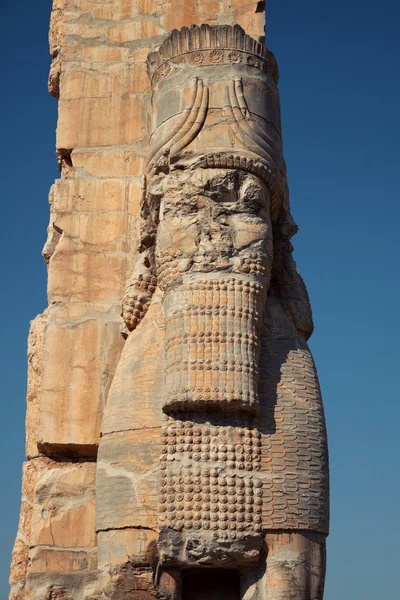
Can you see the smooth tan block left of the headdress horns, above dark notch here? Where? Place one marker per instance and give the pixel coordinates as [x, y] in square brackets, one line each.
[88, 122]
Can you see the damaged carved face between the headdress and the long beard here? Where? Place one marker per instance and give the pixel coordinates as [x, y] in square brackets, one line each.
[214, 220]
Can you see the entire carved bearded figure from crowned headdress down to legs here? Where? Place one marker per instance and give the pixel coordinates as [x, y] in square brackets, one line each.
[213, 456]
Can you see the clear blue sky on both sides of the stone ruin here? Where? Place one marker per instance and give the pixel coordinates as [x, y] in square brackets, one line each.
[340, 89]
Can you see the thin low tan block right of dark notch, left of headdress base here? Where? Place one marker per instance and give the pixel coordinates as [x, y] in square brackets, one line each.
[108, 163]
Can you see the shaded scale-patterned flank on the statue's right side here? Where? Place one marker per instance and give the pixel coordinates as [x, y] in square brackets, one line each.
[294, 458]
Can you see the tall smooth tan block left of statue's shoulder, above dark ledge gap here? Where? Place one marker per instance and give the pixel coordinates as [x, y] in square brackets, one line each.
[75, 384]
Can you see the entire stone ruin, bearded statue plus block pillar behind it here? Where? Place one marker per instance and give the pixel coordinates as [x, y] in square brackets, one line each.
[177, 450]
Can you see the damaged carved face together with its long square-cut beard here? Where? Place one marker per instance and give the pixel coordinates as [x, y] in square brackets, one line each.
[214, 258]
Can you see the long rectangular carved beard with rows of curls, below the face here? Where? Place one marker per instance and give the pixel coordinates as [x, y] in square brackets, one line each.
[212, 344]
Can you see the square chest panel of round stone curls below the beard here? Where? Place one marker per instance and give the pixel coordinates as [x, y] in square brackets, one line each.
[208, 481]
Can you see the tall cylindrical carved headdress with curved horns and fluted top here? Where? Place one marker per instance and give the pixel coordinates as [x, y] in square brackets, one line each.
[216, 105]
